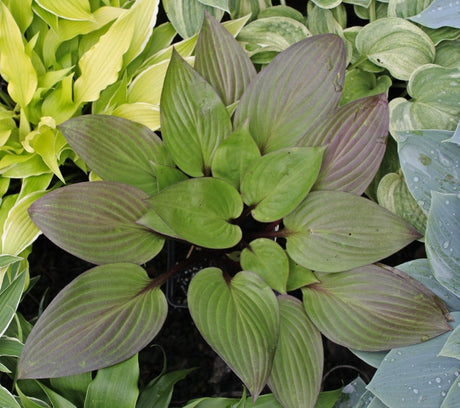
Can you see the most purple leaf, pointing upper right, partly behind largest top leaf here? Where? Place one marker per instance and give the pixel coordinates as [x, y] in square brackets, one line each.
[356, 137]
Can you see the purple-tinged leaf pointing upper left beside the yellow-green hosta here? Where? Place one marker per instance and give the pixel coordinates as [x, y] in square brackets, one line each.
[117, 149]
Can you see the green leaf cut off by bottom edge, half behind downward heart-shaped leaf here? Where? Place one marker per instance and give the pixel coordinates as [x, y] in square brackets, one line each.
[298, 364]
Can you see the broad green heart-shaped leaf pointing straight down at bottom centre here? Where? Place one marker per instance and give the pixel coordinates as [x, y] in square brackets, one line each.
[239, 319]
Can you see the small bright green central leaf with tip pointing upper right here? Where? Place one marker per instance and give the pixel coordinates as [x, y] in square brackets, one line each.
[277, 182]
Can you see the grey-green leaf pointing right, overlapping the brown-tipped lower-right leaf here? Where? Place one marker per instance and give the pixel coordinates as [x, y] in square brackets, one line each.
[332, 231]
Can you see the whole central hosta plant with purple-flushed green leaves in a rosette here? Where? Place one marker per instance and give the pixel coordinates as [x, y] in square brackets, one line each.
[261, 176]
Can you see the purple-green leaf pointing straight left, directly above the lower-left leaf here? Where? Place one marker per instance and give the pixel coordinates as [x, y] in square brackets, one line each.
[97, 222]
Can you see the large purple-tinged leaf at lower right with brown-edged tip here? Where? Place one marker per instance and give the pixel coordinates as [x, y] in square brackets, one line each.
[373, 308]
